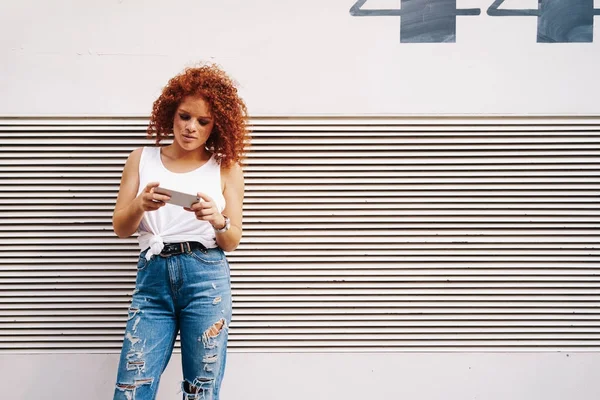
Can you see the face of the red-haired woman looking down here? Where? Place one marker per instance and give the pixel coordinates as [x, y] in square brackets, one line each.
[192, 124]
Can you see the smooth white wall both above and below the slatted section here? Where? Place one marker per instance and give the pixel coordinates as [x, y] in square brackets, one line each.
[85, 57]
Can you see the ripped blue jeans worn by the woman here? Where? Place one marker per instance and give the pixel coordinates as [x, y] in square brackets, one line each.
[189, 293]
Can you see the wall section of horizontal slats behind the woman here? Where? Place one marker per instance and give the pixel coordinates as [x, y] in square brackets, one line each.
[378, 234]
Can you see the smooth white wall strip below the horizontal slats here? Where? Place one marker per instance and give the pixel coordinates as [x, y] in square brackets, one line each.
[322, 376]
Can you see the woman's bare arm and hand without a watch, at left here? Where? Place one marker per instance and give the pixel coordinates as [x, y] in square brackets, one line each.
[130, 208]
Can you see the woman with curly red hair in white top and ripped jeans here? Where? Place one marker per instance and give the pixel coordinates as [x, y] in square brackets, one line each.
[183, 280]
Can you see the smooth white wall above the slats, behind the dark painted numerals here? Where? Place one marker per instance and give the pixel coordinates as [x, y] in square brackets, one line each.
[291, 57]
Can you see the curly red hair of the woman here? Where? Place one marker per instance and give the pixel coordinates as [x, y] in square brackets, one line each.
[230, 135]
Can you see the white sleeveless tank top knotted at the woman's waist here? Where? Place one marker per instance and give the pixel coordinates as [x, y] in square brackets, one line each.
[171, 223]
